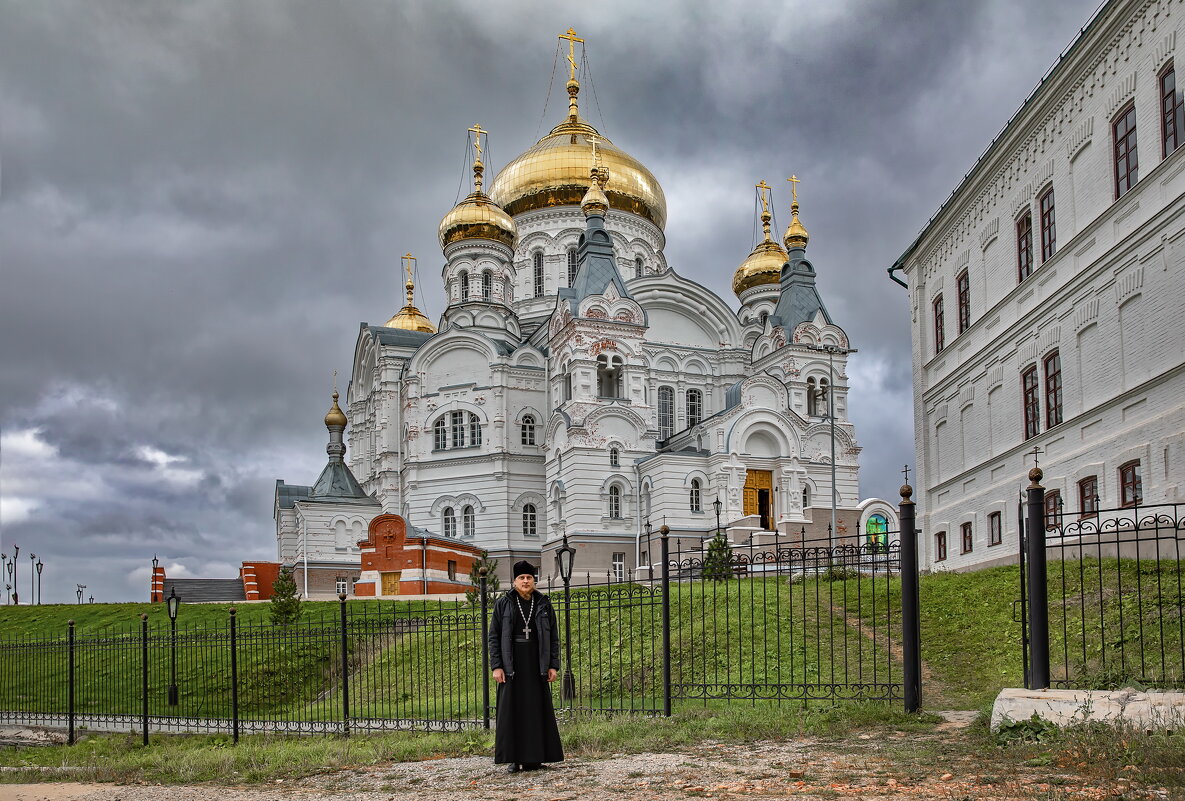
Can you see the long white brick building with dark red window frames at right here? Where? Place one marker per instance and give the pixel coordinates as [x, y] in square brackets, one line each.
[1048, 299]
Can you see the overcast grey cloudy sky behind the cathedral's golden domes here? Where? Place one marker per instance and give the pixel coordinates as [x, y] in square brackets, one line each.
[200, 202]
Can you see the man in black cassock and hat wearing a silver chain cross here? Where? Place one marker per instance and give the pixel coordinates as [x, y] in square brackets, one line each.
[524, 655]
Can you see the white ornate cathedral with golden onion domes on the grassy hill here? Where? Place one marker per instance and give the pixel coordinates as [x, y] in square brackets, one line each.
[578, 386]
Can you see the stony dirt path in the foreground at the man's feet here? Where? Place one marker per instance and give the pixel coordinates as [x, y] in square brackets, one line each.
[869, 767]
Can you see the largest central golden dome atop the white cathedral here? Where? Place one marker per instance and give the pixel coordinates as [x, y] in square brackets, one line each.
[556, 174]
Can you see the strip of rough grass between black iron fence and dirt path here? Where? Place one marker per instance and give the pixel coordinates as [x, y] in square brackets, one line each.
[178, 759]
